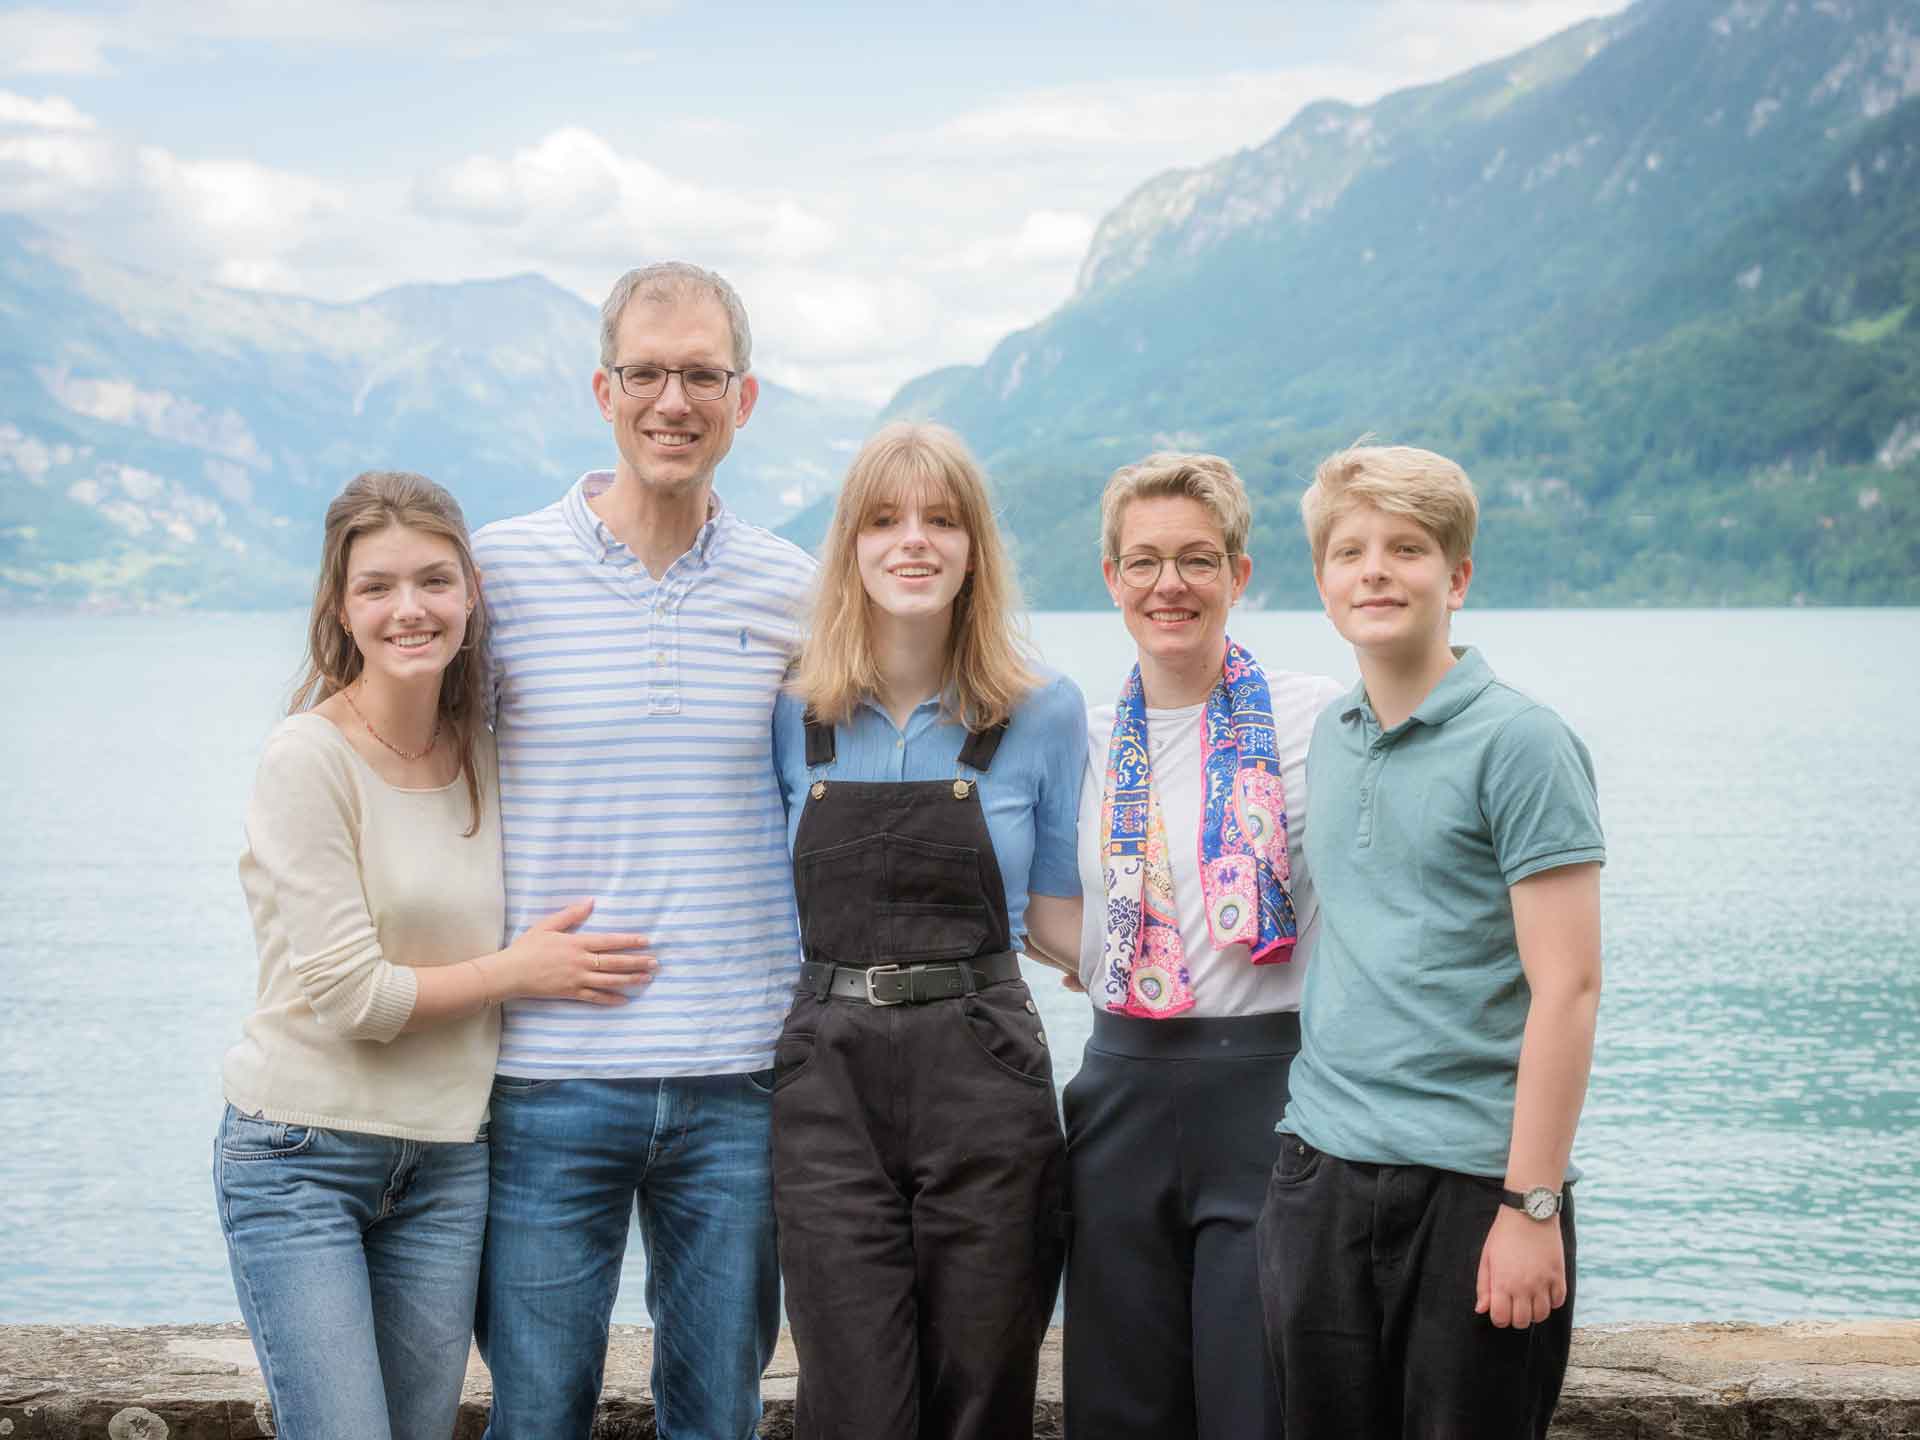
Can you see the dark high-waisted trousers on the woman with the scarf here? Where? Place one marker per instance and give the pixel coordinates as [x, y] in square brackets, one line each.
[1170, 1141]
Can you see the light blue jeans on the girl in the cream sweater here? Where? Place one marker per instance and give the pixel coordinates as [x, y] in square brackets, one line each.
[356, 1262]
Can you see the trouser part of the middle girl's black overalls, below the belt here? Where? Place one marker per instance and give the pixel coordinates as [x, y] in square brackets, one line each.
[919, 1182]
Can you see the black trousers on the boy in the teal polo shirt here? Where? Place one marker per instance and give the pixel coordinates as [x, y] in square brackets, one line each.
[1368, 1278]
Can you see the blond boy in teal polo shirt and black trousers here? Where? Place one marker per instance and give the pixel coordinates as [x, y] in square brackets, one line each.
[1418, 1245]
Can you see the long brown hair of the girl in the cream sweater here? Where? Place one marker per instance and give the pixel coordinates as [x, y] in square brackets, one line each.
[370, 504]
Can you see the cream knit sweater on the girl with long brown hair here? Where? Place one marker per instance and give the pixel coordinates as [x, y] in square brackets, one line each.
[352, 886]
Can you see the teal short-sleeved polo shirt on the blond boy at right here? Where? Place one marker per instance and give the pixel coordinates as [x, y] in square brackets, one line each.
[1416, 1001]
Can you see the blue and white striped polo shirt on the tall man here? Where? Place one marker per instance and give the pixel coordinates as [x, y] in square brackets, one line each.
[635, 723]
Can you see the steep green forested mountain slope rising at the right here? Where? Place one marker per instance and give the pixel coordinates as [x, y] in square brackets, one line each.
[1633, 277]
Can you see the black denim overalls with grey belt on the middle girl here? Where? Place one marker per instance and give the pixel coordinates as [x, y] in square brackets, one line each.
[919, 1161]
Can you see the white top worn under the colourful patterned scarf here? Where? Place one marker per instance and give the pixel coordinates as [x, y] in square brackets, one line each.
[1226, 982]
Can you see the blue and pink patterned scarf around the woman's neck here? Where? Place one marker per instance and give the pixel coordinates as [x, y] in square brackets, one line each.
[1243, 844]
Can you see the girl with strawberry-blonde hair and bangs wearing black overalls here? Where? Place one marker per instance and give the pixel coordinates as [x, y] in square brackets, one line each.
[932, 786]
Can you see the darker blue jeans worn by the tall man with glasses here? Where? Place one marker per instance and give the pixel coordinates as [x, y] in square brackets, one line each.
[571, 1161]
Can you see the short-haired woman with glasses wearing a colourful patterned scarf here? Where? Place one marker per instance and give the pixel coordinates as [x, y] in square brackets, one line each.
[1197, 928]
